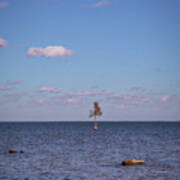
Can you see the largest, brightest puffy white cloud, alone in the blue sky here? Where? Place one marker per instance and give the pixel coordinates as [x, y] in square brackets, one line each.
[49, 51]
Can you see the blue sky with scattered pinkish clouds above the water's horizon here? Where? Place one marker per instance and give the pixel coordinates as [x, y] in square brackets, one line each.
[59, 56]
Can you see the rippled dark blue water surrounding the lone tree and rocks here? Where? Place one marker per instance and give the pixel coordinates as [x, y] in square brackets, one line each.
[73, 151]
